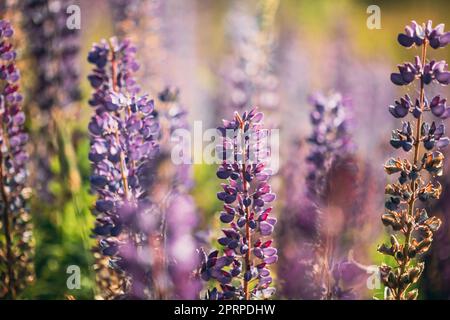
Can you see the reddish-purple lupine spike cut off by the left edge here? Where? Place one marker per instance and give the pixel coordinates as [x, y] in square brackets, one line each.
[16, 240]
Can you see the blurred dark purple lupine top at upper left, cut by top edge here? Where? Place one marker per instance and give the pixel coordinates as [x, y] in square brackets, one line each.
[54, 49]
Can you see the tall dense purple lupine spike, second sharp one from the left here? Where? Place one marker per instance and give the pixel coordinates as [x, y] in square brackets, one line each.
[123, 144]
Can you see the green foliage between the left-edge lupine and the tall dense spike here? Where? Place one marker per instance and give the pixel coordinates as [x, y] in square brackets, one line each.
[62, 226]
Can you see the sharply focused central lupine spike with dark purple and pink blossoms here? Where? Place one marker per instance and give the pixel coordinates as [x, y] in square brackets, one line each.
[242, 271]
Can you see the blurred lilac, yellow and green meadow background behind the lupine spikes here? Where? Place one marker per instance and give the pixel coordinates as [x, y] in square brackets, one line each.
[305, 47]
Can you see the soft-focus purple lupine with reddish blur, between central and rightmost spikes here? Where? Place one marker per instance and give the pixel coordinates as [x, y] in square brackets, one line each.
[330, 169]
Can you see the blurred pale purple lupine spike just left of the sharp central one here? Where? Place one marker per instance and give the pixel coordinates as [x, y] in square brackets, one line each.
[176, 206]
